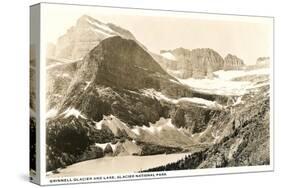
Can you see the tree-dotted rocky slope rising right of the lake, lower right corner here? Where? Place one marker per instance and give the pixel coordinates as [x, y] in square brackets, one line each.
[242, 136]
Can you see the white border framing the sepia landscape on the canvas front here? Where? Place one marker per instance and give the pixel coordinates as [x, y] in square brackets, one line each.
[44, 180]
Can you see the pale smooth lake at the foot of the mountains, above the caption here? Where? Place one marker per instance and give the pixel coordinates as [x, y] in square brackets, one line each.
[117, 164]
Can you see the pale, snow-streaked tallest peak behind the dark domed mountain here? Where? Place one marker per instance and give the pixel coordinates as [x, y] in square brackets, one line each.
[72, 44]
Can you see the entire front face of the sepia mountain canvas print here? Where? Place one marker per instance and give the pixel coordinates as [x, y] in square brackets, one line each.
[138, 91]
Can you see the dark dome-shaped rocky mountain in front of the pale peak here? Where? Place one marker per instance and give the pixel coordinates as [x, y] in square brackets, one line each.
[112, 76]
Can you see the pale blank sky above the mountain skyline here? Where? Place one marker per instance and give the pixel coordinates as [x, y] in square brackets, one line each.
[246, 37]
